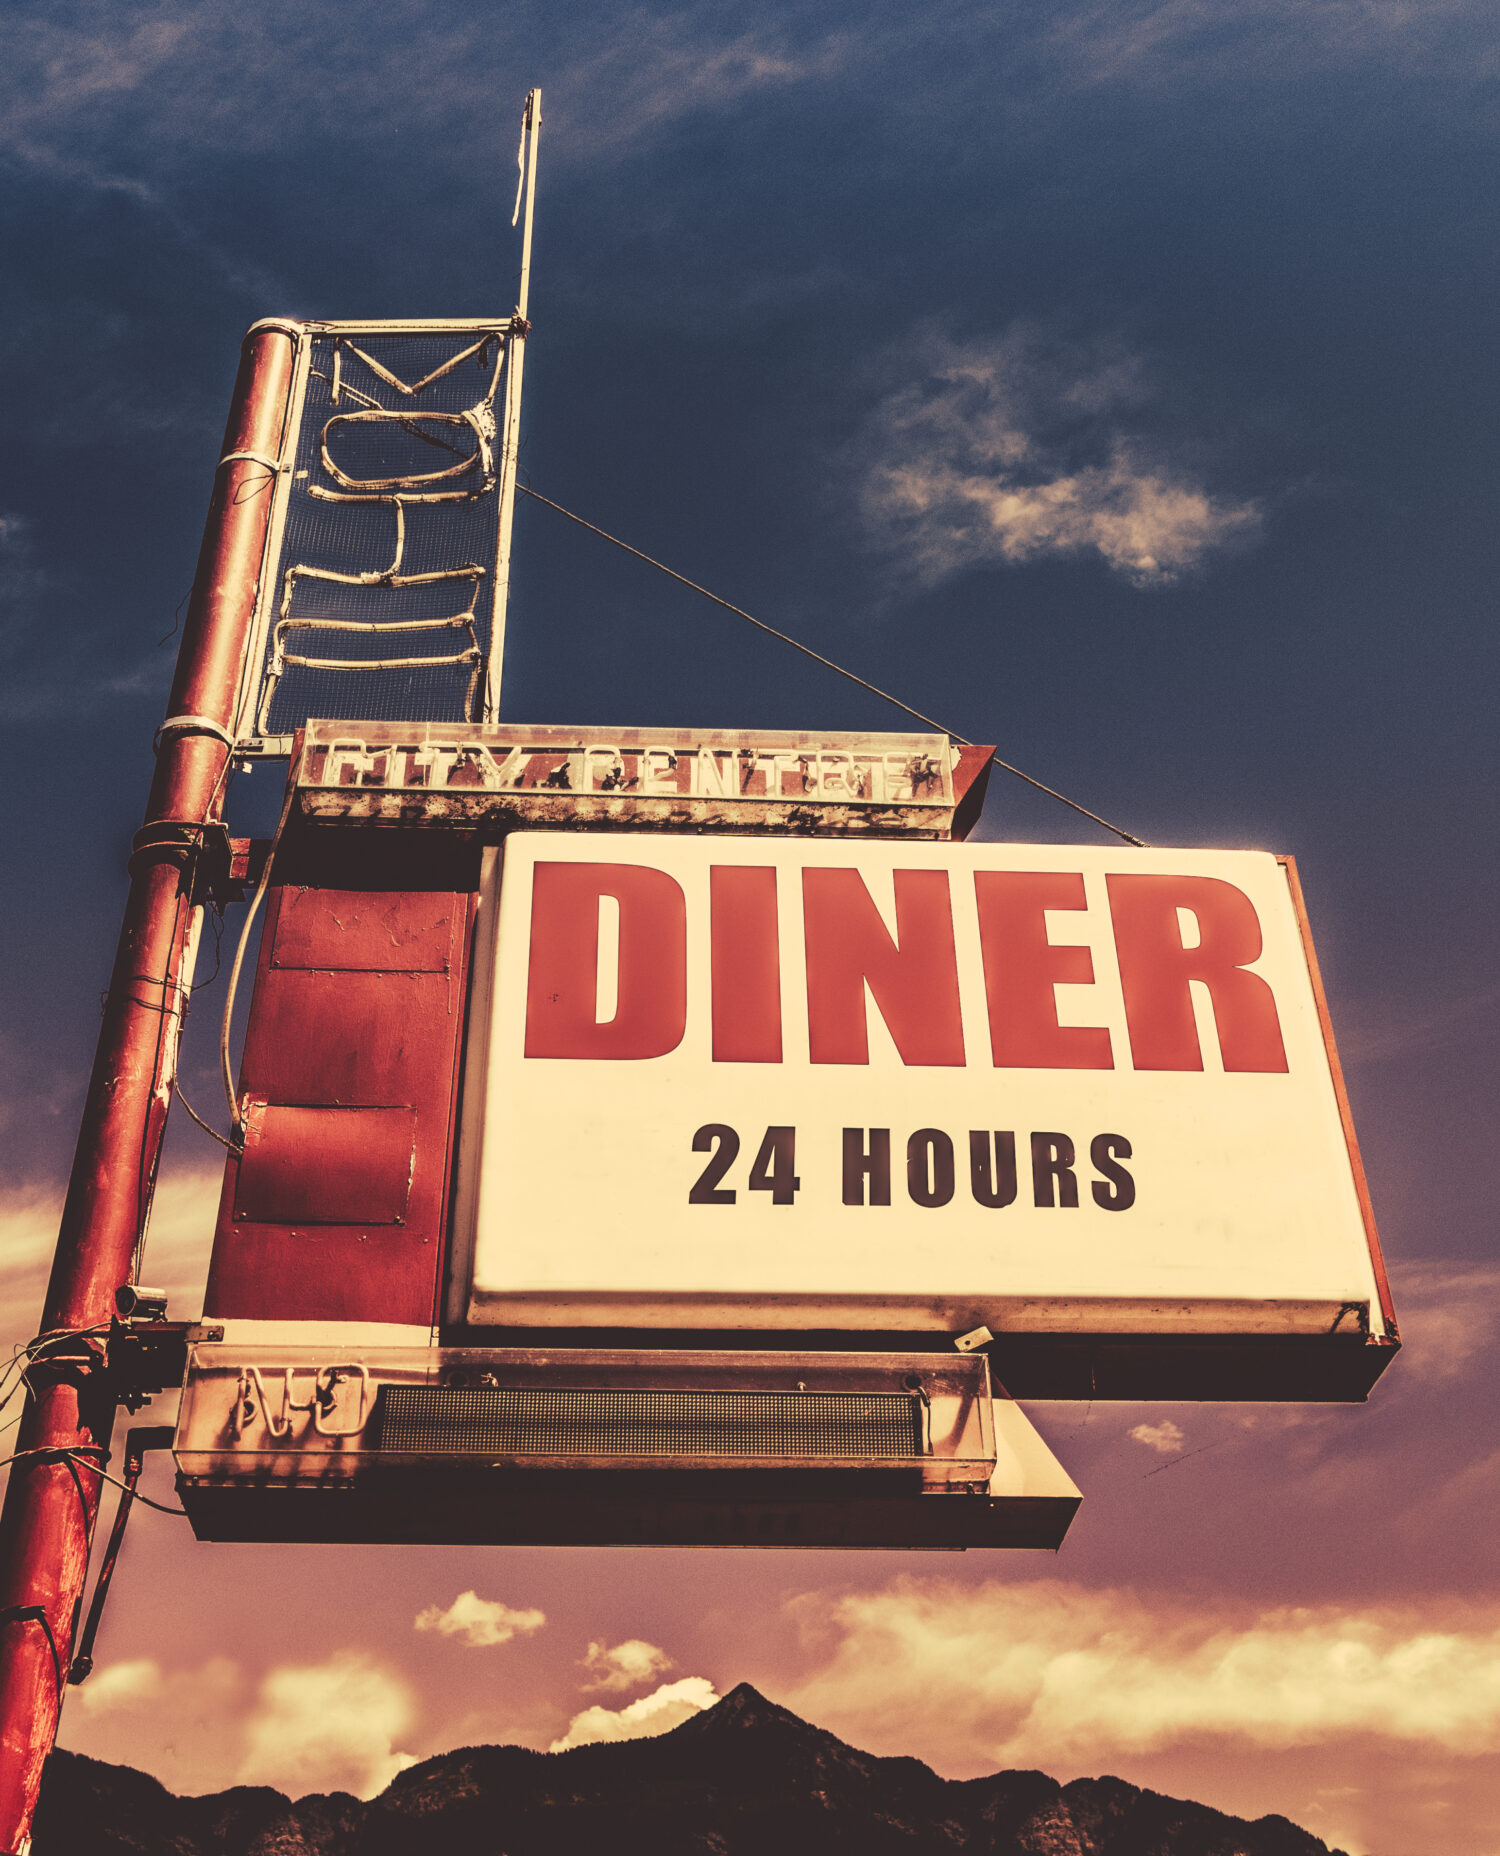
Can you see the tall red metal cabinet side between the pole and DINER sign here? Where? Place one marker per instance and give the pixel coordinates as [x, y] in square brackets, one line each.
[357, 1068]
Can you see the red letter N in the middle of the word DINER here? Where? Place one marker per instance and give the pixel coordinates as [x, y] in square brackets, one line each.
[914, 977]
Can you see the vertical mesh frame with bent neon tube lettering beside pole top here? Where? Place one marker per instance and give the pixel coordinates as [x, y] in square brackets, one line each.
[380, 600]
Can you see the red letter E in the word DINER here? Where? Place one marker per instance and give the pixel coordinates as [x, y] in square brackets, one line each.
[1022, 970]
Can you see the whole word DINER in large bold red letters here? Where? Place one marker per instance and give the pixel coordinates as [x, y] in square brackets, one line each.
[911, 975]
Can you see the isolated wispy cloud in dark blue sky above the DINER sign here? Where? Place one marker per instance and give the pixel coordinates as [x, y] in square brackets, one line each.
[1020, 448]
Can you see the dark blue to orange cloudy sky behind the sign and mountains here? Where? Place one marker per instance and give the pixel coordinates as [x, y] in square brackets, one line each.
[1115, 383]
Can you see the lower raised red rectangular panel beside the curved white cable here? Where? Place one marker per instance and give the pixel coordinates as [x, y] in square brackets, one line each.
[326, 1166]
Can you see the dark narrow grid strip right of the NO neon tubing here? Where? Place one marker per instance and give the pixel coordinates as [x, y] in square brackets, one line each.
[588, 1423]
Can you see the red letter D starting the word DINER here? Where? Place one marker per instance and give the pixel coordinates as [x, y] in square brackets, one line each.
[562, 998]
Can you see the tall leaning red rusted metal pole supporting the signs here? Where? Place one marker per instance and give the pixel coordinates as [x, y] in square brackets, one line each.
[53, 1495]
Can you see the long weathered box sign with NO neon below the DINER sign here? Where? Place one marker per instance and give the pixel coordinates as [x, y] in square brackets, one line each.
[448, 1445]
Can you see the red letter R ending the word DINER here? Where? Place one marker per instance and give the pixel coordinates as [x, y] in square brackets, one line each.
[1156, 973]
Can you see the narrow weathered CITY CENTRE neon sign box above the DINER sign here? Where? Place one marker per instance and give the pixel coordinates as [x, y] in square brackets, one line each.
[727, 780]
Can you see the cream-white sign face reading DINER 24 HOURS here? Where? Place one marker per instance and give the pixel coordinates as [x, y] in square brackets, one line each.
[901, 1087]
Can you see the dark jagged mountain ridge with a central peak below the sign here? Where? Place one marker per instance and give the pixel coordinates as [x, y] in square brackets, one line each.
[744, 1779]
